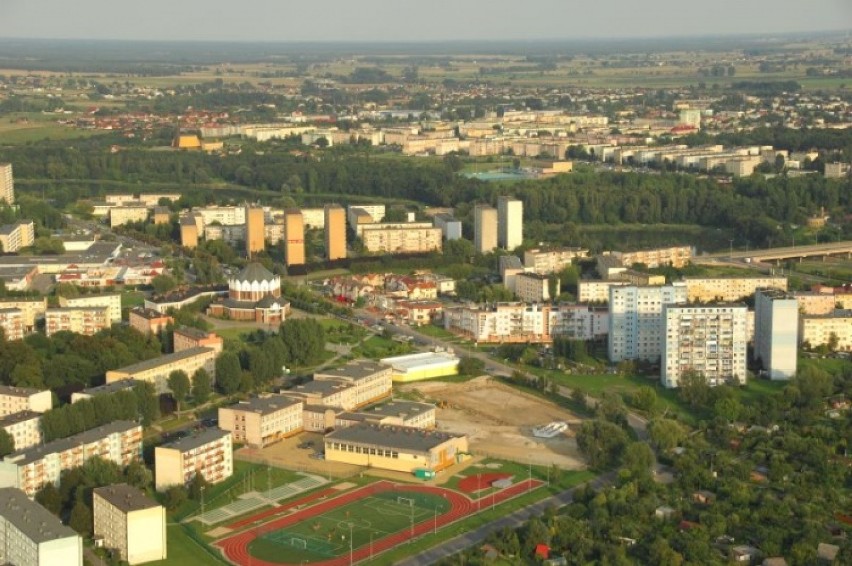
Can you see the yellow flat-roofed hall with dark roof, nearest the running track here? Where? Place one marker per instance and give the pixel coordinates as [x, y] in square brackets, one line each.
[397, 448]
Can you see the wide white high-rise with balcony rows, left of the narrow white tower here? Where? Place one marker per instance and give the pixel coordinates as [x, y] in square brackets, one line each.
[708, 339]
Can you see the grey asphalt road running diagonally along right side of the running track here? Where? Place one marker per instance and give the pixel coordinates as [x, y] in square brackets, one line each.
[513, 520]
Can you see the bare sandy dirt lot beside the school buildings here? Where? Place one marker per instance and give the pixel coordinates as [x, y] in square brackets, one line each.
[498, 421]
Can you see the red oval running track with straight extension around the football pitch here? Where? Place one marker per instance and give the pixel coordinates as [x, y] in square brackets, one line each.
[235, 548]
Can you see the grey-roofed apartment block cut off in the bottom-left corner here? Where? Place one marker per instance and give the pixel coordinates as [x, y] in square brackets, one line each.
[33, 536]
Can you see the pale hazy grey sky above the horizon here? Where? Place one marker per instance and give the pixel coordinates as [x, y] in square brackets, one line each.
[407, 20]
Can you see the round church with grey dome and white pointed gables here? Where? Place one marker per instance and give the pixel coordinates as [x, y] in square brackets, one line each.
[254, 294]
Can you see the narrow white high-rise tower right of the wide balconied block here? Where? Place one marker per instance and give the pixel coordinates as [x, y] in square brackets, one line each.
[776, 332]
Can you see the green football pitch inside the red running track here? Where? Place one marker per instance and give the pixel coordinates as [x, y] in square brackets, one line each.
[347, 527]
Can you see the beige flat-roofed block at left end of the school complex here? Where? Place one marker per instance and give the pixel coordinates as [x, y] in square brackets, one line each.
[262, 421]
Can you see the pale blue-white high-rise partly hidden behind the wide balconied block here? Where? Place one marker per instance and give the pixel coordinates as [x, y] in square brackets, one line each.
[636, 326]
